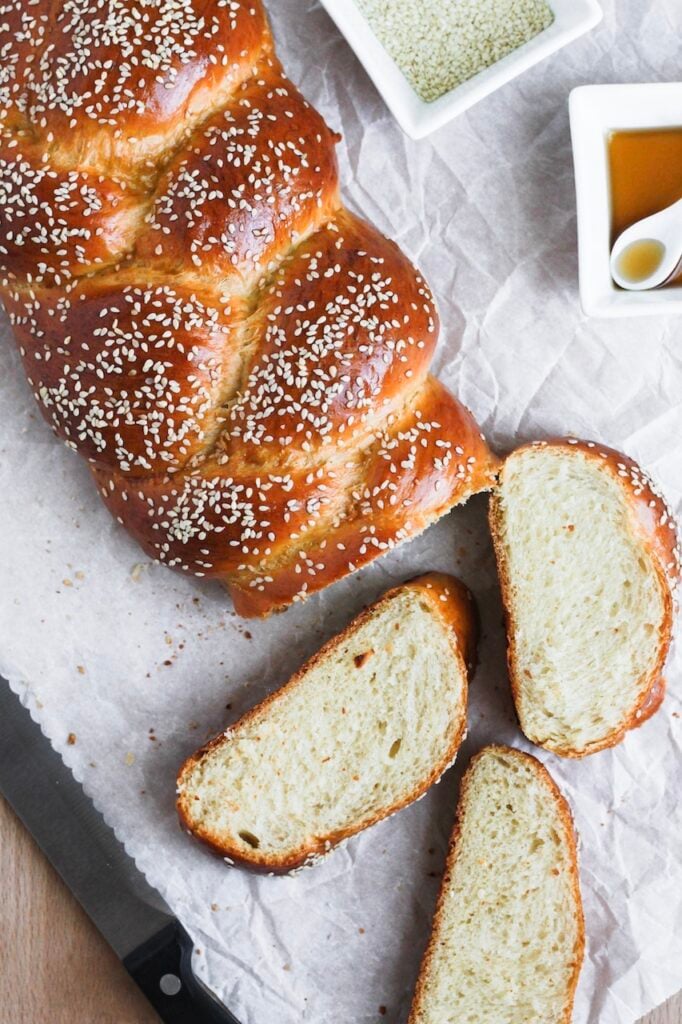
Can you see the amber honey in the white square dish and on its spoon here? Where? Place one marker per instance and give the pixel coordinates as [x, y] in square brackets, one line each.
[646, 169]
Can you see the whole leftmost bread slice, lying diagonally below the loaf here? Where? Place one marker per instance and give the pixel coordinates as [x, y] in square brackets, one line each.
[361, 732]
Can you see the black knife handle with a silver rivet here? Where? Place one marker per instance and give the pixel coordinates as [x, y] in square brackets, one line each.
[162, 968]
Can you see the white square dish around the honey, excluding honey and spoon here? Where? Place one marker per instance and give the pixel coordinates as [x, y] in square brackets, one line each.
[596, 111]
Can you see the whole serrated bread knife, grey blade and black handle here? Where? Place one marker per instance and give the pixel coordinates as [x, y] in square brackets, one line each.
[145, 934]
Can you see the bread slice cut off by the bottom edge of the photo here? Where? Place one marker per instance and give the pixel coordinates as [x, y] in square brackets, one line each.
[508, 936]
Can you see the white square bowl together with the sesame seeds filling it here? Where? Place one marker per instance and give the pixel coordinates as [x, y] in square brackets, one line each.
[434, 60]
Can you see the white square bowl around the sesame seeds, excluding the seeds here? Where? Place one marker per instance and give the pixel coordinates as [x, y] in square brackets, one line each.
[417, 118]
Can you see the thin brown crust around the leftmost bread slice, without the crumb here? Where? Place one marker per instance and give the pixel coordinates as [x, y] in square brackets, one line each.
[453, 604]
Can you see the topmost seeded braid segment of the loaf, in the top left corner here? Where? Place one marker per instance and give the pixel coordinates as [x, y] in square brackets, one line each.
[106, 84]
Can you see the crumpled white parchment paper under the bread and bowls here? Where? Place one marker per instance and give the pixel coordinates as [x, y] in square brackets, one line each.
[142, 666]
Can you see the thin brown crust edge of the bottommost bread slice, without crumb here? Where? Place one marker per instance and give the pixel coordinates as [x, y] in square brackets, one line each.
[453, 850]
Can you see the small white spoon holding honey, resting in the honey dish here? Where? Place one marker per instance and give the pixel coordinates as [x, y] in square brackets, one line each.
[649, 254]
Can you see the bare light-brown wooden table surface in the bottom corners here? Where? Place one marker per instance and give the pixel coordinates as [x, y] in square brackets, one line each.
[57, 969]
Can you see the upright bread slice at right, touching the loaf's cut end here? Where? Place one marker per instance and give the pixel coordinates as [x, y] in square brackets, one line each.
[588, 560]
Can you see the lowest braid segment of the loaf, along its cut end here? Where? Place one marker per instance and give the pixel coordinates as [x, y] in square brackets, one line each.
[385, 508]
